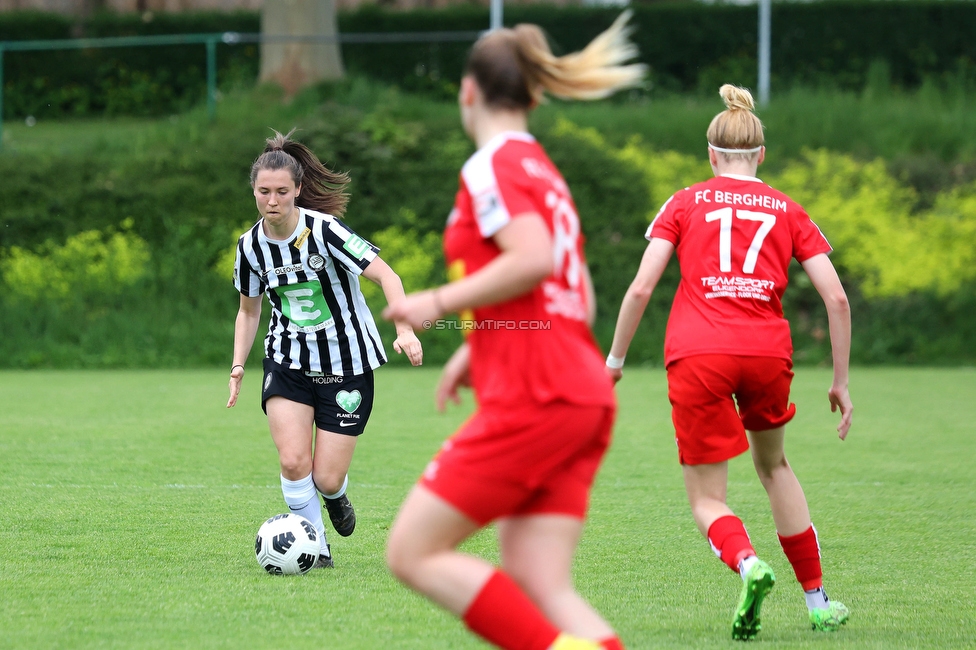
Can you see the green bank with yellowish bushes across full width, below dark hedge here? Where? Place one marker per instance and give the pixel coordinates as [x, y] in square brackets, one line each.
[116, 251]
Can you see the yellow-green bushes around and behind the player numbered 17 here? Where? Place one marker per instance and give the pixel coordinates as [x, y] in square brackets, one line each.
[894, 257]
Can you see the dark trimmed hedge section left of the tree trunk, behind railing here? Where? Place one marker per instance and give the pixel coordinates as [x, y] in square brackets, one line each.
[119, 80]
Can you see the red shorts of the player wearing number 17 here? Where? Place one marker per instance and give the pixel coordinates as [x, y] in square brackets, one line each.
[705, 391]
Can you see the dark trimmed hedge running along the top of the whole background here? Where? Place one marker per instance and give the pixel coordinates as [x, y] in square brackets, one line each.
[689, 46]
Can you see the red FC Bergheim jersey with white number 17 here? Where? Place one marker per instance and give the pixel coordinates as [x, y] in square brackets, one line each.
[734, 237]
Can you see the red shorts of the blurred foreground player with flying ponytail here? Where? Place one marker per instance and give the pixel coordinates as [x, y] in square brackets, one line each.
[539, 460]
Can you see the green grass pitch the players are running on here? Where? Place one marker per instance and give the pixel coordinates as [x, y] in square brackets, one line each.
[129, 502]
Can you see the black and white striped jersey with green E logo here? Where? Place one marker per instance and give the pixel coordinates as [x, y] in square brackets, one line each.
[319, 318]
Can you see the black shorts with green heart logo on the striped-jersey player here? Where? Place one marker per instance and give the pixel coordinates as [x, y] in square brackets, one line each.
[342, 403]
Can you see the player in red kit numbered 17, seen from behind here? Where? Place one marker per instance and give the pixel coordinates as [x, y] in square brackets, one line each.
[728, 350]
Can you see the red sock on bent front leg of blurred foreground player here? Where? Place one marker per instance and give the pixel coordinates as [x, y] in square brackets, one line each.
[502, 614]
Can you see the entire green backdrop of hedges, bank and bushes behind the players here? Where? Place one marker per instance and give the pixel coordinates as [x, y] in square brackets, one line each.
[116, 248]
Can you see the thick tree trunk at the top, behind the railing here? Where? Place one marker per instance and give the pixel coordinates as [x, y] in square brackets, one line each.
[296, 64]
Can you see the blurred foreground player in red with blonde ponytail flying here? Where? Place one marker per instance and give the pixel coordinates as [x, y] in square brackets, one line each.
[527, 457]
